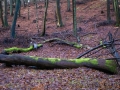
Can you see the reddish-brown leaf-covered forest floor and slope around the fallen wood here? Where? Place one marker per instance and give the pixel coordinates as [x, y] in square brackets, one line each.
[90, 31]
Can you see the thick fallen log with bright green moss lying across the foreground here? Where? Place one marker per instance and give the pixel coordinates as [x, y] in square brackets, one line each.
[106, 65]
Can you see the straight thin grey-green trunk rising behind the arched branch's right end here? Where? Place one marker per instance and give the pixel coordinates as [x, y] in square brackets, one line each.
[74, 18]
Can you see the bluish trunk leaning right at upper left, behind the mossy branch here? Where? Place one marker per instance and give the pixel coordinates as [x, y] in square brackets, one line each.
[15, 18]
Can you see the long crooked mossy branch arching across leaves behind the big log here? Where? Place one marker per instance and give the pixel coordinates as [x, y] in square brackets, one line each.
[35, 46]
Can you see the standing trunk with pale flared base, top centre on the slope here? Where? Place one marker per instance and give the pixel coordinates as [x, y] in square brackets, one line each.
[58, 12]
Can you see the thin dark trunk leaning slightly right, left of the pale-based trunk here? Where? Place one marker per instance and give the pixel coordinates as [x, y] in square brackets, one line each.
[45, 15]
